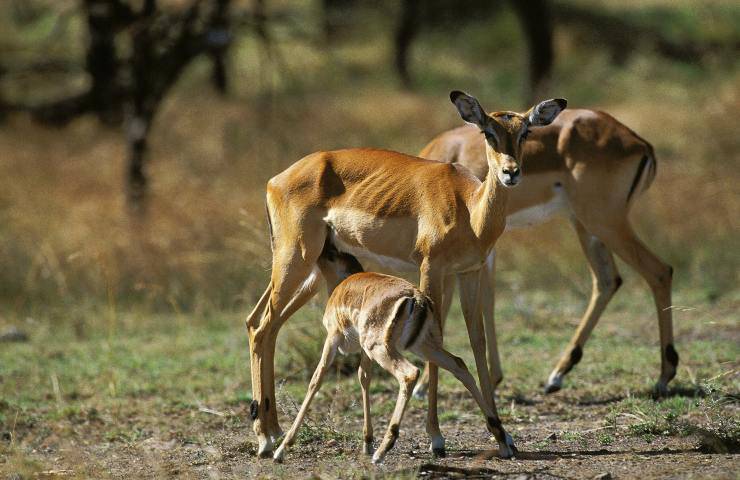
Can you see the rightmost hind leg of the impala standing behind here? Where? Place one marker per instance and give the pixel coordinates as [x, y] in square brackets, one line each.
[658, 276]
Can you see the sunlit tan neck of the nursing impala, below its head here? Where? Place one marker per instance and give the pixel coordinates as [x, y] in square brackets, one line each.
[488, 212]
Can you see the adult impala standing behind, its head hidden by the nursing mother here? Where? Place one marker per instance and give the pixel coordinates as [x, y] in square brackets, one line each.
[591, 167]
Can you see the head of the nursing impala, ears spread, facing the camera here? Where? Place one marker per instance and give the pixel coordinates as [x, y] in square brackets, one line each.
[506, 132]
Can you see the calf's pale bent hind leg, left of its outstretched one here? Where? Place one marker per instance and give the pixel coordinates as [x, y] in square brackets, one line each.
[406, 374]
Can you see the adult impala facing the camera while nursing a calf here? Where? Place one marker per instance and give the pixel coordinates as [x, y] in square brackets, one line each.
[406, 212]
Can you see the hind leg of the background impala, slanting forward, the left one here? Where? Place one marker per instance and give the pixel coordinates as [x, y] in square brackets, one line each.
[605, 282]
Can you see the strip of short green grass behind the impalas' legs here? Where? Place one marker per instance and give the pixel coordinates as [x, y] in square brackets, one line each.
[182, 365]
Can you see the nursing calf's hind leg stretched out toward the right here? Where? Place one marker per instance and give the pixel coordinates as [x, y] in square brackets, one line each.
[456, 366]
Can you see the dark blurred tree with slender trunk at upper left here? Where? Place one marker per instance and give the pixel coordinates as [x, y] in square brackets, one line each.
[129, 88]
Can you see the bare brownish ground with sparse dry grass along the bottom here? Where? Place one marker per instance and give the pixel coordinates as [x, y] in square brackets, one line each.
[557, 437]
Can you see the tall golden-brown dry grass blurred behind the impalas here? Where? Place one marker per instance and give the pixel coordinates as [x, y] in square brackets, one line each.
[66, 237]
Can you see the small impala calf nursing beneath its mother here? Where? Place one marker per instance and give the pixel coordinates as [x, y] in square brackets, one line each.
[380, 316]
